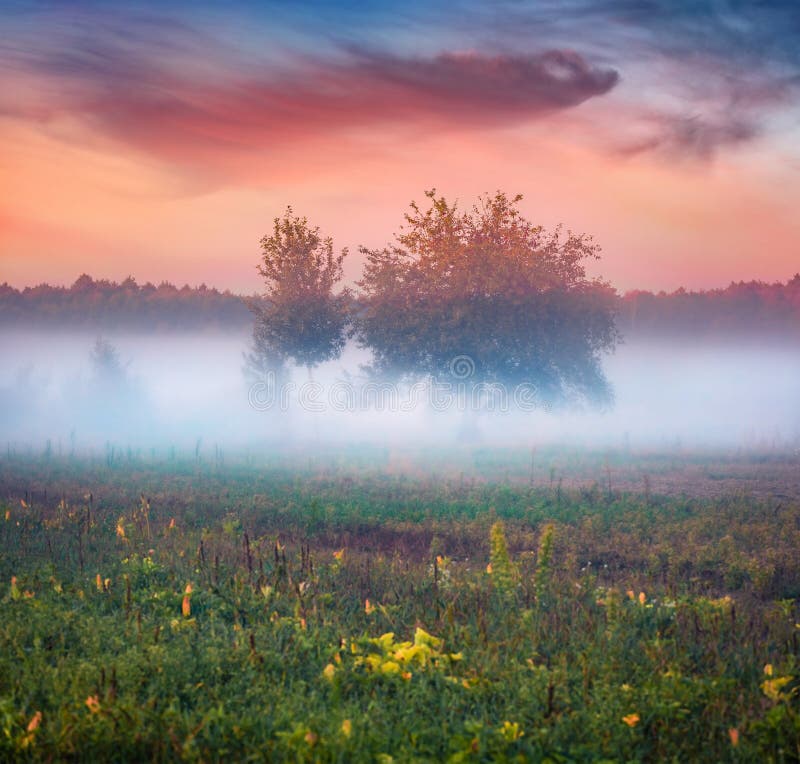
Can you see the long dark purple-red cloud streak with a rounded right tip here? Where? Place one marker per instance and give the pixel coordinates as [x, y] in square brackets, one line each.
[173, 93]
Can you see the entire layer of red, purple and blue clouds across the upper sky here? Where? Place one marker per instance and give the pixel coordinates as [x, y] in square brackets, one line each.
[695, 77]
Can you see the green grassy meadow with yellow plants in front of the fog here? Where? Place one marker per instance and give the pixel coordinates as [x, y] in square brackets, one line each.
[488, 605]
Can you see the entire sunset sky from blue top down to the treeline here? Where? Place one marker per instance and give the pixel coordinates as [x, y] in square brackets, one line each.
[160, 140]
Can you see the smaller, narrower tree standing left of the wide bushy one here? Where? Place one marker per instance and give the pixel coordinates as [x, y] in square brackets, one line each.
[300, 317]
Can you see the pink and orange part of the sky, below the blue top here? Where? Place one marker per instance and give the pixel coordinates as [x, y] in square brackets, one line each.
[176, 172]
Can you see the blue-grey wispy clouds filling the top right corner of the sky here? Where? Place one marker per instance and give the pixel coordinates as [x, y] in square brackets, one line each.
[701, 76]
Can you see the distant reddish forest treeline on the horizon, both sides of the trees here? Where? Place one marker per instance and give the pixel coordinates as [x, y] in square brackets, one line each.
[750, 307]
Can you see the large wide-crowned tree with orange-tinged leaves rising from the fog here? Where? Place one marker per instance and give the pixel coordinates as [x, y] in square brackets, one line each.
[486, 289]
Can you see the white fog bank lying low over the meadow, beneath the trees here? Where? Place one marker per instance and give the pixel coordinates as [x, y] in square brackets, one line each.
[190, 391]
